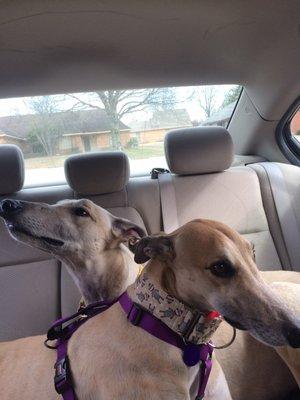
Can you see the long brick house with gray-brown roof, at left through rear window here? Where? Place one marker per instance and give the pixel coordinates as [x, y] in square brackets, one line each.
[77, 131]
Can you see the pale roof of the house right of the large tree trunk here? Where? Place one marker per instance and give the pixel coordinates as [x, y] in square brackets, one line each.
[163, 119]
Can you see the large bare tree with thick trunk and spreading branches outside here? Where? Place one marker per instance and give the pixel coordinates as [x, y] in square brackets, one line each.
[118, 103]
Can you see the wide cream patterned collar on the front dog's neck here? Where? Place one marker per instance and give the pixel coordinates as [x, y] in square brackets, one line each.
[193, 325]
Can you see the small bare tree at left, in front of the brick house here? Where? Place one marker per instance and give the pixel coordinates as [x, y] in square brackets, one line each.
[45, 130]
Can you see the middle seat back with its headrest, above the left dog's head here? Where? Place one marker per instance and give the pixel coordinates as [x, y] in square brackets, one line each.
[103, 177]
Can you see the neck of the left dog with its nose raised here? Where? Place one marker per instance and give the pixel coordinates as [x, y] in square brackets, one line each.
[105, 276]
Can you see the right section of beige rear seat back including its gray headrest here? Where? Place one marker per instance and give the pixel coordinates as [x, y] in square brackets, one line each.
[204, 186]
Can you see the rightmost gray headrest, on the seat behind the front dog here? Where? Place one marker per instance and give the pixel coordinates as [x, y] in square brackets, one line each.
[198, 150]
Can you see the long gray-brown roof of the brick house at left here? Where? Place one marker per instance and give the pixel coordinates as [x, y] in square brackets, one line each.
[66, 122]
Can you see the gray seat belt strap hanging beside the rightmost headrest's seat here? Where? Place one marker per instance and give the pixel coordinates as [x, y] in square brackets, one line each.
[168, 202]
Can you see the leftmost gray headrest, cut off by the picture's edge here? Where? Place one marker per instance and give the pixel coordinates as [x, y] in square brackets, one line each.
[11, 169]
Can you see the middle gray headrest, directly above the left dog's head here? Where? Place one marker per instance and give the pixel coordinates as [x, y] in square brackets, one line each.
[97, 173]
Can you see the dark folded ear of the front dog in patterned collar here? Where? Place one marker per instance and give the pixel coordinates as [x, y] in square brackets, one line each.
[154, 247]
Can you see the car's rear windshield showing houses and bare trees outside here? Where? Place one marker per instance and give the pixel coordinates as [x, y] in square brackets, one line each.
[50, 128]
